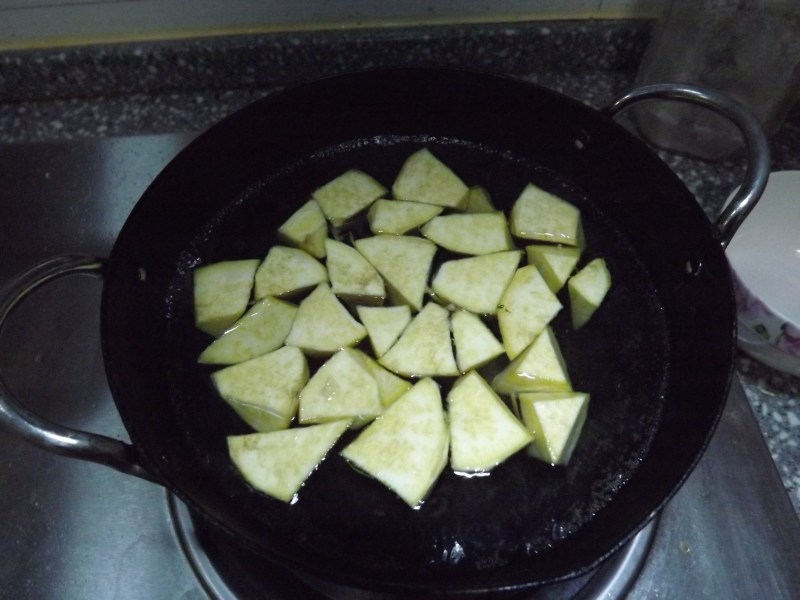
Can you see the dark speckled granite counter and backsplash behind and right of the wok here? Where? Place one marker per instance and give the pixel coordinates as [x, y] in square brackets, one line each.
[127, 89]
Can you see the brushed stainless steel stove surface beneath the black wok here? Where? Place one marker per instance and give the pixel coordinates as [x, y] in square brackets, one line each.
[79, 530]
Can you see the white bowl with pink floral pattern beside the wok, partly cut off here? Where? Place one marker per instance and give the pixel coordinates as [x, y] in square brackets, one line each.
[765, 257]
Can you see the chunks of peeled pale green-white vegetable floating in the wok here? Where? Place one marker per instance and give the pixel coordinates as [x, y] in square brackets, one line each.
[483, 309]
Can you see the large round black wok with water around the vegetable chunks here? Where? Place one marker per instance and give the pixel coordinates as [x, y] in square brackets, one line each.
[657, 359]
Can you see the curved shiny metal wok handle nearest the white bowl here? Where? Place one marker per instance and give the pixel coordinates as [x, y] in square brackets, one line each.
[758, 155]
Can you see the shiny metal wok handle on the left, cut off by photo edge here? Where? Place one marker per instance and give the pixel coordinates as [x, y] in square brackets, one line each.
[35, 429]
